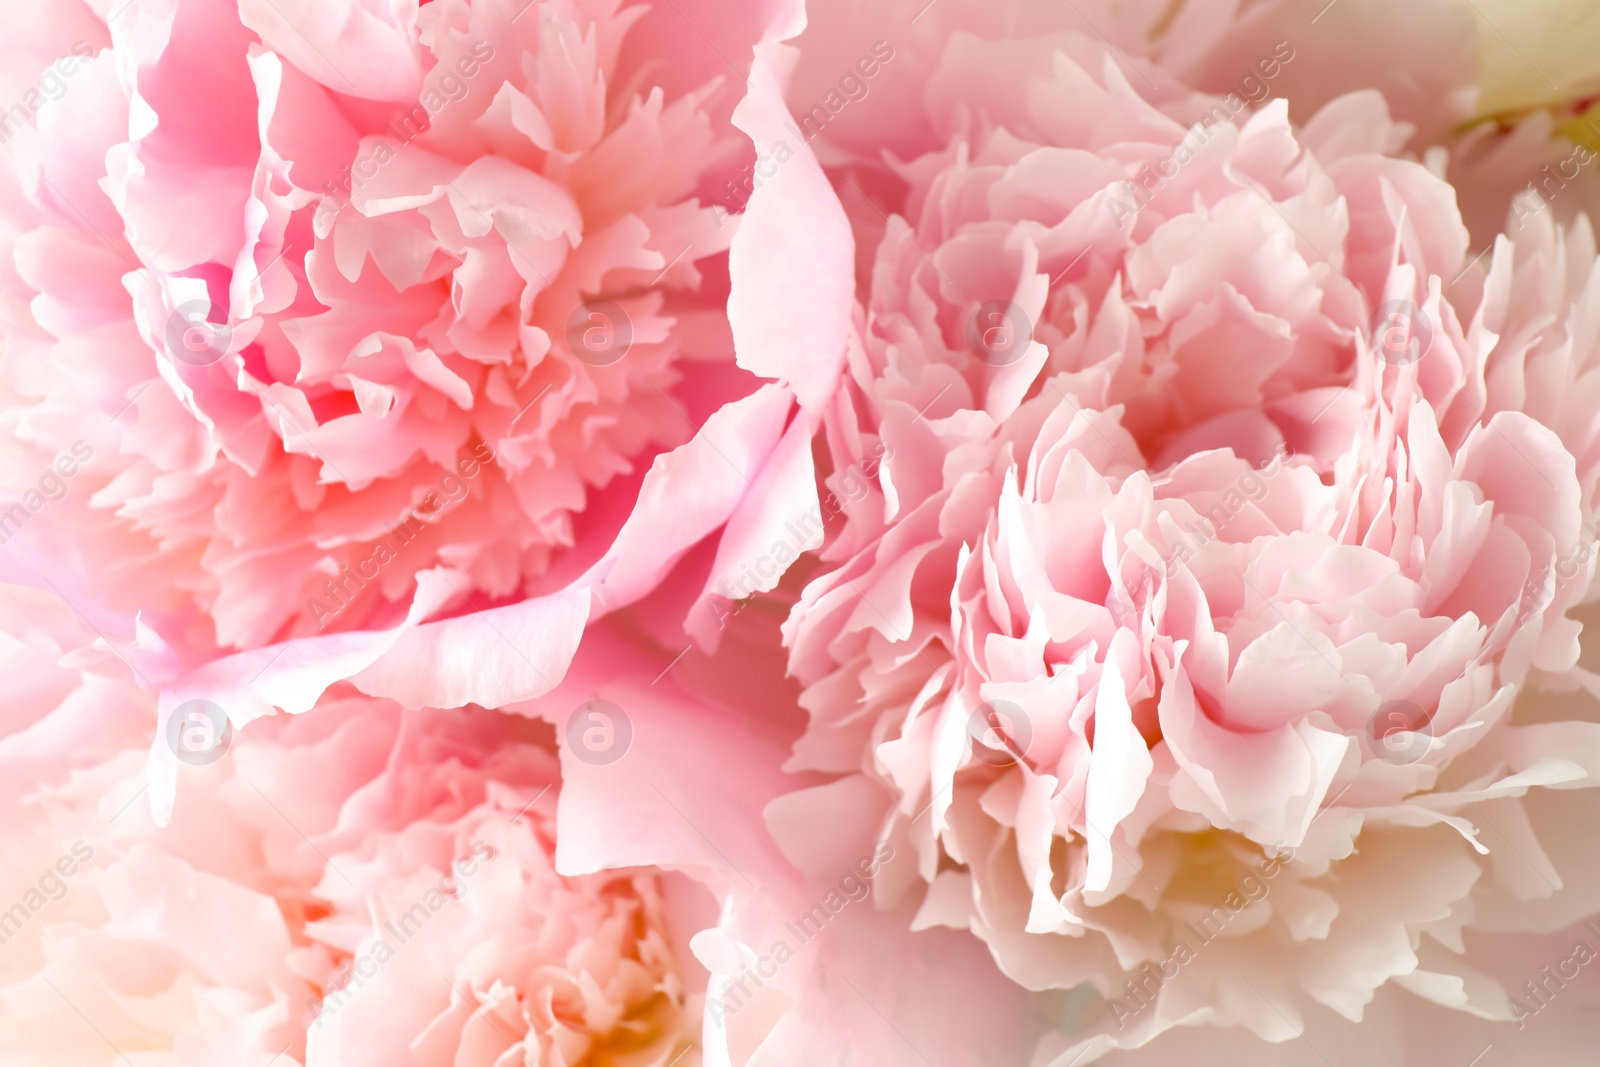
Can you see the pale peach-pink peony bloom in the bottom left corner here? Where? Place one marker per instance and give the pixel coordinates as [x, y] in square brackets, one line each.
[356, 885]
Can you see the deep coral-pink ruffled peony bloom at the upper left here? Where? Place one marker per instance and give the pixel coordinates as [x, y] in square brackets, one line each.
[399, 290]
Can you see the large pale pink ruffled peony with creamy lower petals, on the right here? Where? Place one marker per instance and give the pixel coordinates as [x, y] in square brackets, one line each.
[1222, 506]
